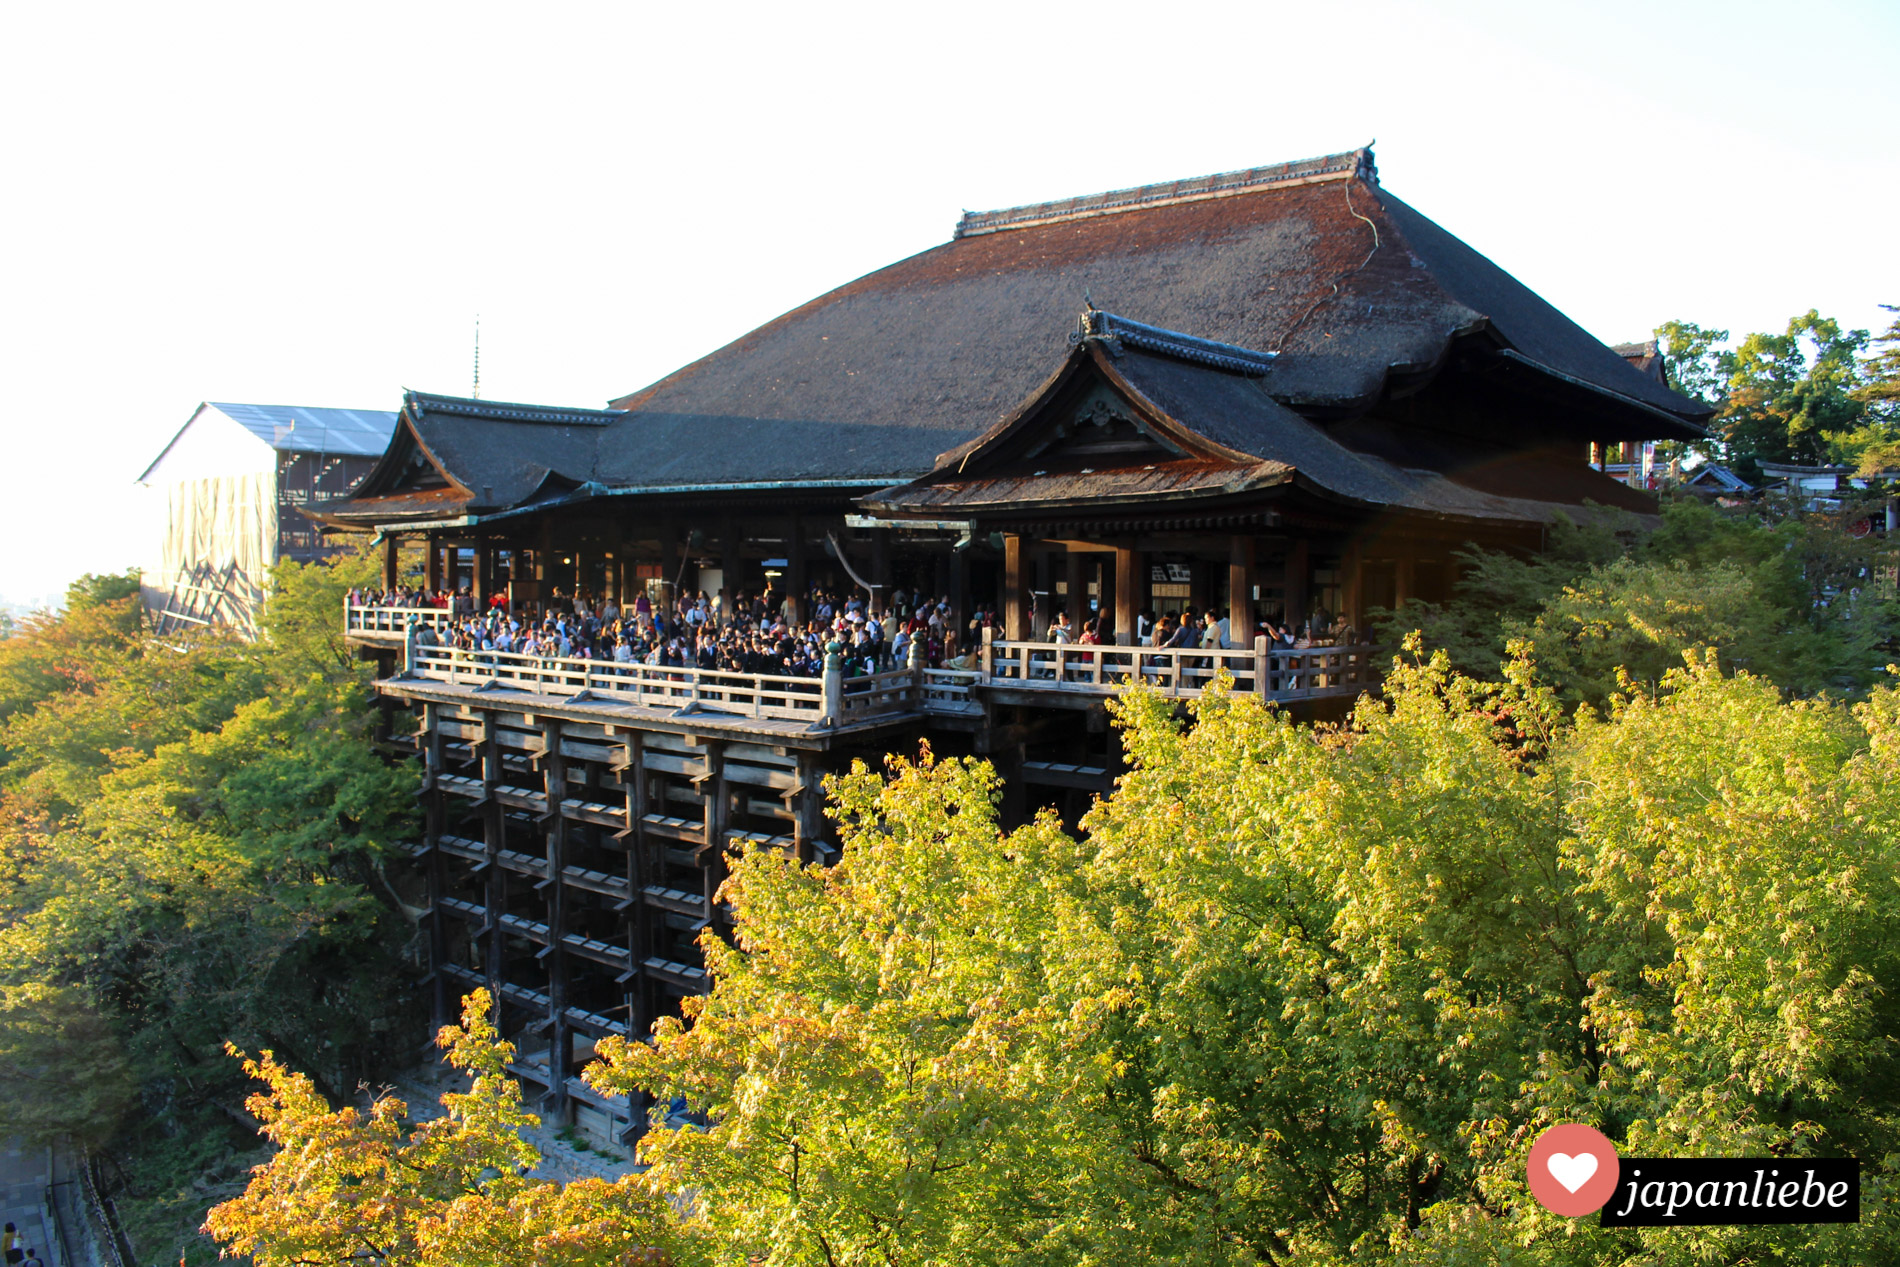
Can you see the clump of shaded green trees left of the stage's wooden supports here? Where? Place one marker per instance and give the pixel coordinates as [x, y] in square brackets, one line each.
[193, 841]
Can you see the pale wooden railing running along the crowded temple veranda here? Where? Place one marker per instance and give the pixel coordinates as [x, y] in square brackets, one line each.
[833, 700]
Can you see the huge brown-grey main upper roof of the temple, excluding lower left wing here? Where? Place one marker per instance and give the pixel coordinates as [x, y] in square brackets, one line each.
[1312, 261]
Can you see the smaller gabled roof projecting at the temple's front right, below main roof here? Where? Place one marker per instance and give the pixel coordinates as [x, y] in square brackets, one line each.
[1209, 430]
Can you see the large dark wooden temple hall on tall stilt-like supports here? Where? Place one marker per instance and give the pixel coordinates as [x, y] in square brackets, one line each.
[1270, 392]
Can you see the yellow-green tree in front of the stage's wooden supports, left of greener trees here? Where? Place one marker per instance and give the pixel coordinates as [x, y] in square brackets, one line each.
[892, 1068]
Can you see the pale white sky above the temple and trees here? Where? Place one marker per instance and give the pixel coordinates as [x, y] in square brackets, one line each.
[311, 204]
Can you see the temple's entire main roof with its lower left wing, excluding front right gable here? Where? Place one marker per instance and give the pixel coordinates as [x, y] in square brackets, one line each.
[1306, 276]
